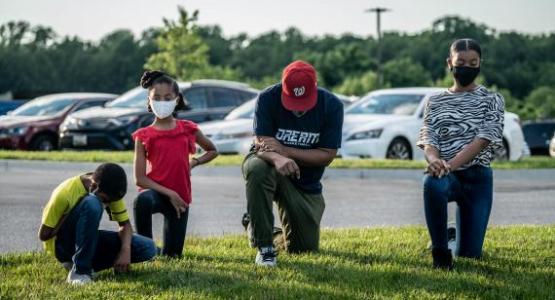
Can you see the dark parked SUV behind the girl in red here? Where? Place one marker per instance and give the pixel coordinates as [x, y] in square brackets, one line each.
[110, 127]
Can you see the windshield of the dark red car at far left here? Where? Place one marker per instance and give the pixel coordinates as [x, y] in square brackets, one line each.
[44, 106]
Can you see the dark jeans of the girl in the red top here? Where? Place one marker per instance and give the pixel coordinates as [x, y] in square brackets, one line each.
[149, 202]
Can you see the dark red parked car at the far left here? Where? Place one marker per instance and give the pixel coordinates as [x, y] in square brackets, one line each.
[34, 125]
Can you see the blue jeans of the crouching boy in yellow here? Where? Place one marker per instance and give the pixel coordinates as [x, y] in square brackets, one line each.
[80, 241]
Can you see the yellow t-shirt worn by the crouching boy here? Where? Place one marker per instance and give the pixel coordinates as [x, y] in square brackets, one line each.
[64, 198]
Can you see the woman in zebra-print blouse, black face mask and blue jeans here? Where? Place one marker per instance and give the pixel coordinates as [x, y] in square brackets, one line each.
[461, 128]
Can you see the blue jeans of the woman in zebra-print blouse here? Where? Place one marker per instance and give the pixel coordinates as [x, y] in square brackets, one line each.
[472, 190]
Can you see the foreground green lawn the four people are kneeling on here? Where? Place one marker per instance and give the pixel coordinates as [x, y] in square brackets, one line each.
[518, 263]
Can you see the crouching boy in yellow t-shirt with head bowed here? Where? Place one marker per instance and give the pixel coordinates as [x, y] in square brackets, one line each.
[70, 223]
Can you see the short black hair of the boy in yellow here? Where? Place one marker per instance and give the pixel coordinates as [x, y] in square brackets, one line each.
[111, 180]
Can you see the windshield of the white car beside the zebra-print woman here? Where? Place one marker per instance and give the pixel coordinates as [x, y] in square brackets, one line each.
[390, 104]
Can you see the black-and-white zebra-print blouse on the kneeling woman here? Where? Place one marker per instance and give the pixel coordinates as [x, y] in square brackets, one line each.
[454, 120]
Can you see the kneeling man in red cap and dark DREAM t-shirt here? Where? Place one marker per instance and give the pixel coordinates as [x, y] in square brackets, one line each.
[297, 133]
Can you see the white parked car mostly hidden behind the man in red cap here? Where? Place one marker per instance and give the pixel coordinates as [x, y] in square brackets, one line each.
[234, 134]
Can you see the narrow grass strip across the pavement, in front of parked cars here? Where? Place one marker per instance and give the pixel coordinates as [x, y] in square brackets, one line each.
[235, 160]
